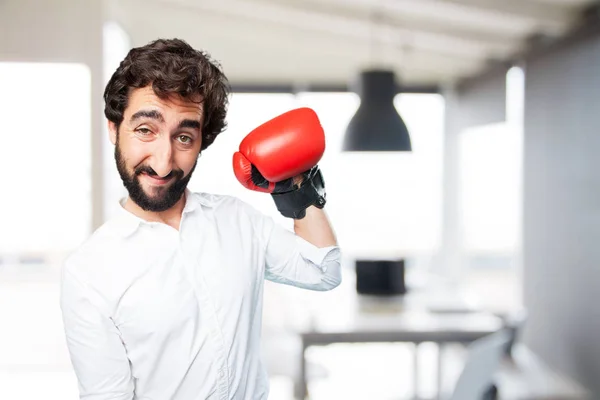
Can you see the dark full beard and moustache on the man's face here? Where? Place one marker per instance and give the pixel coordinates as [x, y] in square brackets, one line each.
[166, 197]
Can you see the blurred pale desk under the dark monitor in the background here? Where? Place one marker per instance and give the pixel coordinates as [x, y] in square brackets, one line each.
[363, 319]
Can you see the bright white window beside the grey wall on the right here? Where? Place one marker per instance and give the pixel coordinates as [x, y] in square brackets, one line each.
[491, 169]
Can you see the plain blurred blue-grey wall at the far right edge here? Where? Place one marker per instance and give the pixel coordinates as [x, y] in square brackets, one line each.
[562, 209]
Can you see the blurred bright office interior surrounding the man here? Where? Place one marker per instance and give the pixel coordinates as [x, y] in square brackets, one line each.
[492, 219]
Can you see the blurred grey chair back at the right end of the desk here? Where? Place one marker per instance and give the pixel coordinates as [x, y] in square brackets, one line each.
[483, 360]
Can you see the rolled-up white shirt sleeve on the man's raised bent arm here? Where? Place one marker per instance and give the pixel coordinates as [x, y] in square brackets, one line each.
[291, 260]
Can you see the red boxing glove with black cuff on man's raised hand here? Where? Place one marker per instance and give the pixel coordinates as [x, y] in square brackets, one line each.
[280, 157]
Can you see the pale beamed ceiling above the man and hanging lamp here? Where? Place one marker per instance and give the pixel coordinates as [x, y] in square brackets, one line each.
[327, 42]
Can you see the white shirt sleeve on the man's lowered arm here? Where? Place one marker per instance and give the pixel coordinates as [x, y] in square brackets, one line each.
[96, 350]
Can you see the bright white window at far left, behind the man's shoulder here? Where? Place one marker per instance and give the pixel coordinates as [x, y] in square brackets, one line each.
[44, 157]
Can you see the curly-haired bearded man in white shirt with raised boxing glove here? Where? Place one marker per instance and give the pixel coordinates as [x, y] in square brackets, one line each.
[164, 301]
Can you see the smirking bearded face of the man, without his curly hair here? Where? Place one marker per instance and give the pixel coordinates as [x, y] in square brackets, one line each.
[157, 147]
